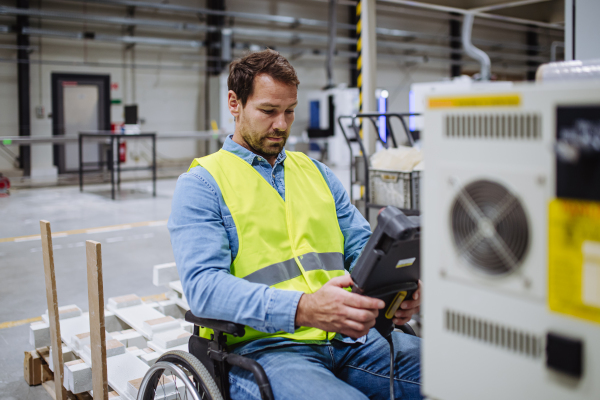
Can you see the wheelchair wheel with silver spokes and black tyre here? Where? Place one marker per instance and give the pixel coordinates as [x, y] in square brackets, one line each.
[167, 379]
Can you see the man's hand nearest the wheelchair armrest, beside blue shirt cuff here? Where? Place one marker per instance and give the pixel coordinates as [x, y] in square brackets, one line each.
[334, 309]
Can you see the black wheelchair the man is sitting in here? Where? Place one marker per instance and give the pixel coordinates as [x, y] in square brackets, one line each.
[203, 373]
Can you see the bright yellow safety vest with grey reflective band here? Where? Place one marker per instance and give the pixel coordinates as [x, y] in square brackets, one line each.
[294, 244]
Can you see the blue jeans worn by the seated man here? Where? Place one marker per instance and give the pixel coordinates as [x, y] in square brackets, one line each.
[332, 369]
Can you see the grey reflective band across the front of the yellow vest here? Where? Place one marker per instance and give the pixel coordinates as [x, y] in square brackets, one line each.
[289, 269]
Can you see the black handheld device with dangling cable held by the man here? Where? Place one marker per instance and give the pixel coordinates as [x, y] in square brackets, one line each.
[389, 269]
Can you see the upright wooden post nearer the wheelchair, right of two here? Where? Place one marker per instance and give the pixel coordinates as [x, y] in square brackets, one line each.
[97, 327]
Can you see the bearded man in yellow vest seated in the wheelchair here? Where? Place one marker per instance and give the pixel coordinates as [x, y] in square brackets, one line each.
[263, 237]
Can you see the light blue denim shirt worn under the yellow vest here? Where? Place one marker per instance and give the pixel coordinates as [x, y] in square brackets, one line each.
[205, 243]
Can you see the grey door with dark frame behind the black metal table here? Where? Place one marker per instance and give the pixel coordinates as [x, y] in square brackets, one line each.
[79, 103]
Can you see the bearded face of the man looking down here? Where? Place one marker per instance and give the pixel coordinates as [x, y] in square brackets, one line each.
[265, 121]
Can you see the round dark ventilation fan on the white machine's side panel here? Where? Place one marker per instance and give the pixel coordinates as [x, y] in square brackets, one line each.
[489, 227]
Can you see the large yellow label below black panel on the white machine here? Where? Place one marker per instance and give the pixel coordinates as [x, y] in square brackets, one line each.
[574, 259]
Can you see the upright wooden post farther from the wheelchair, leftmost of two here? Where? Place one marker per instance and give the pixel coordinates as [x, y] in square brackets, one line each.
[53, 317]
